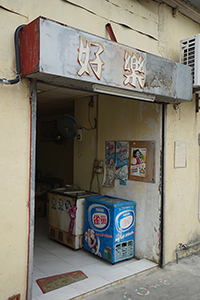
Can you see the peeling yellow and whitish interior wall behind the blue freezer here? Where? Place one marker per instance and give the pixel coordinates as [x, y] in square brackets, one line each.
[124, 120]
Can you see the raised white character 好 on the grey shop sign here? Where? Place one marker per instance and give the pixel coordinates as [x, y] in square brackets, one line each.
[84, 53]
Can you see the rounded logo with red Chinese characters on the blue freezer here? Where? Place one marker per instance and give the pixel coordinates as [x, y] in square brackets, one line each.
[98, 217]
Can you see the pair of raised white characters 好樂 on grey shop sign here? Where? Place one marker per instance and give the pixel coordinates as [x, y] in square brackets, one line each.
[92, 56]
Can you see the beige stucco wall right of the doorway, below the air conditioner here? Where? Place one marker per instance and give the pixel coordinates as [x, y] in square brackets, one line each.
[182, 184]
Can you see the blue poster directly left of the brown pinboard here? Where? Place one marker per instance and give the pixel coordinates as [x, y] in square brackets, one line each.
[122, 154]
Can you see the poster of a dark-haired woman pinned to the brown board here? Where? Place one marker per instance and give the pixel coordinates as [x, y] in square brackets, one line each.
[138, 162]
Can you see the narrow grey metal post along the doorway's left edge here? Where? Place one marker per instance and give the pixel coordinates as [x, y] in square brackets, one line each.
[33, 102]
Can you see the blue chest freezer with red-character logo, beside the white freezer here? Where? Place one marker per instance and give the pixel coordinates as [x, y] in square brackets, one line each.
[109, 227]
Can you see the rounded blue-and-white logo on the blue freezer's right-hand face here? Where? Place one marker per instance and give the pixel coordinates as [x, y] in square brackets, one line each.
[125, 220]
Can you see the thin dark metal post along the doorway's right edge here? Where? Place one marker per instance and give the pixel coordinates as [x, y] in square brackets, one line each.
[163, 160]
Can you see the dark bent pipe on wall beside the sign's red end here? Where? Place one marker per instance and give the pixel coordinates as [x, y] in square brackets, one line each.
[17, 57]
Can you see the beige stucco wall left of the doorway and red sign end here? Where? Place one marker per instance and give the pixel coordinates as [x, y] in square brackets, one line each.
[14, 166]
